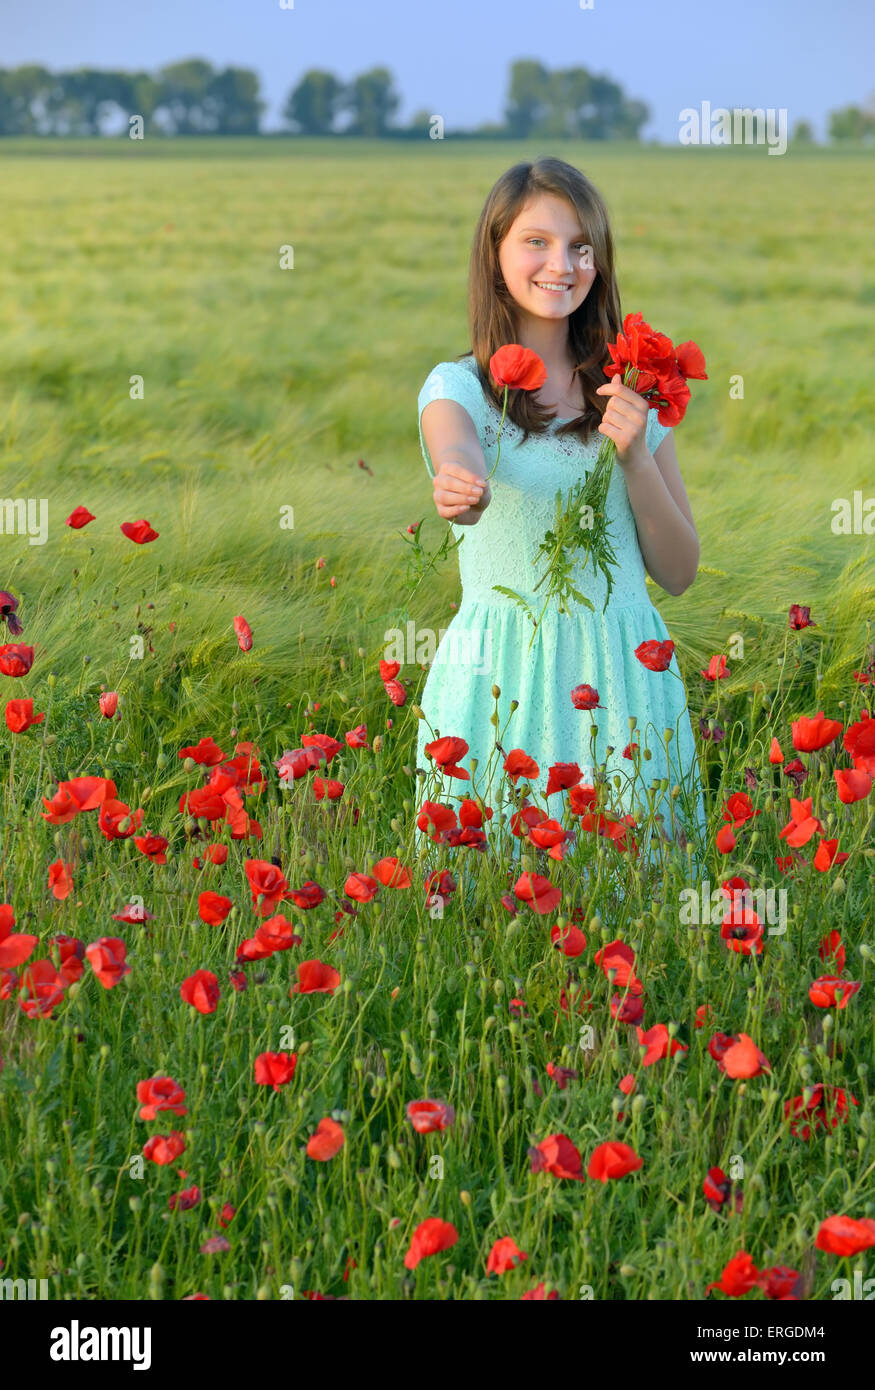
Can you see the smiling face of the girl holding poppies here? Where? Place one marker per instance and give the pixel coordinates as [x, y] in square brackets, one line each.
[545, 259]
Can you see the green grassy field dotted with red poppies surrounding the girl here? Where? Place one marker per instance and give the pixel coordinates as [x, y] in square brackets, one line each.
[279, 1017]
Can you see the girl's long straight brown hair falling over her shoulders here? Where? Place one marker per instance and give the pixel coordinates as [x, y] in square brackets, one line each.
[492, 309]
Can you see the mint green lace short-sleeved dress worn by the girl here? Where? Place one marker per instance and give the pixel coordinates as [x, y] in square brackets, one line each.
[488, 640]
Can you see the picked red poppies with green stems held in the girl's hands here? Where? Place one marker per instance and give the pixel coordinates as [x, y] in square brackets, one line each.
[650, 365]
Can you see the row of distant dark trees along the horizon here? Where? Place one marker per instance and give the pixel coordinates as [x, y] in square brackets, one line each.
[194, 98]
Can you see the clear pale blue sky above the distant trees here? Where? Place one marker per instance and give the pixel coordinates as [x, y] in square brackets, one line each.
[453, 56]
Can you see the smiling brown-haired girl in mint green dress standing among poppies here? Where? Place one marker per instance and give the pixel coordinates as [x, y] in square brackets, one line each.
[542, 276]
